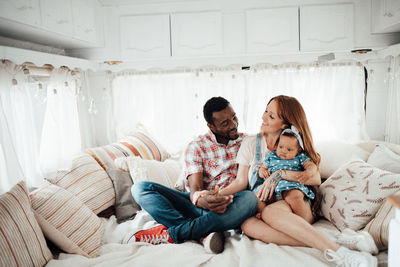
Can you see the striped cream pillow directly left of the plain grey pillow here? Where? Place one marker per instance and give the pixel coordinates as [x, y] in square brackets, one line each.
[87, 181]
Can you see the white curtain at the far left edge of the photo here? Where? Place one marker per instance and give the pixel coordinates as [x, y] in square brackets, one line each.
[20, 127]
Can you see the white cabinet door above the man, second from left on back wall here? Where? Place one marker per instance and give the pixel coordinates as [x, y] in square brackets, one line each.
[196, 34]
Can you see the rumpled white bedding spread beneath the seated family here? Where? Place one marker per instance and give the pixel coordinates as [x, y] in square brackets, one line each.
[239, 250]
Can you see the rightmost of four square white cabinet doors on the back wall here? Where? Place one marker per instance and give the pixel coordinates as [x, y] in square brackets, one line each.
[327, 27]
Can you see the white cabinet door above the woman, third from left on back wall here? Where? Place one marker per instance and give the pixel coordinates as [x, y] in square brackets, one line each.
[272, 30]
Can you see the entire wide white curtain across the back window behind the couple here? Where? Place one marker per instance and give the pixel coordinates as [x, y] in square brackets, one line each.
[169, 104]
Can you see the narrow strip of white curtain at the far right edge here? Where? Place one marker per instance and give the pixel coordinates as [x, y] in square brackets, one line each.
[392, 124]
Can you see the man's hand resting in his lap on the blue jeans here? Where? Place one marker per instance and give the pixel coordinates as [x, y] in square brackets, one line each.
[214, 202]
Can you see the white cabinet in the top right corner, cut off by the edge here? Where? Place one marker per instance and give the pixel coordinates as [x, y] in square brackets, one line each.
[385, 16]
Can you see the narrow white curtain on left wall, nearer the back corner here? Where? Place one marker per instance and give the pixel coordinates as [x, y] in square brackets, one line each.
[61, 137]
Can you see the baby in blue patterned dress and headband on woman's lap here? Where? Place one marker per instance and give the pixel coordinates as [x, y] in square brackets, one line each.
[289, 156]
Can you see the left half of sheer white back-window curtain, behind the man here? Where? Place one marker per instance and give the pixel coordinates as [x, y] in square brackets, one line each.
[169, 105]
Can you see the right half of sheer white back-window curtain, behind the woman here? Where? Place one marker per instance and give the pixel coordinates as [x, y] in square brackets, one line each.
[332, 96]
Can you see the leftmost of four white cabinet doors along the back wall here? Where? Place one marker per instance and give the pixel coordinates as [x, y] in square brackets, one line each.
[145, 36]
